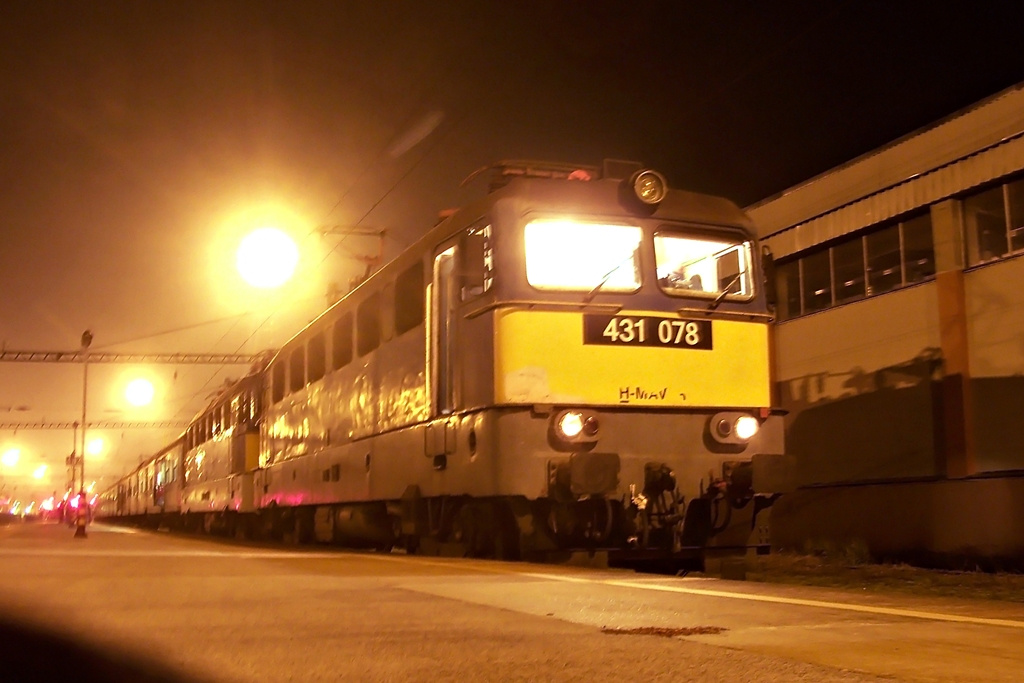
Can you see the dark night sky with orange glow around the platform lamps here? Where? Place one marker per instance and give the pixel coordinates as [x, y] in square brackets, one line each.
[141, 140]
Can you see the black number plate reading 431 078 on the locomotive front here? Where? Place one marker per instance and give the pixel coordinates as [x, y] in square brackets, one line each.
[646, 331]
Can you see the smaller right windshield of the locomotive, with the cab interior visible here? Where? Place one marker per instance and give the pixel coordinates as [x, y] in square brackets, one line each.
[705, 267]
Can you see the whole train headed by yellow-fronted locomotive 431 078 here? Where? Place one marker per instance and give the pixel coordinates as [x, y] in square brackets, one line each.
[578, 361]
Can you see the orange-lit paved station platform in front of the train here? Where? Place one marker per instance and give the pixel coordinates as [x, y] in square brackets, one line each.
[123, 607]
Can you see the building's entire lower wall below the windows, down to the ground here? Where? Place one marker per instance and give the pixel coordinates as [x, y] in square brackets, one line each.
[868, 389]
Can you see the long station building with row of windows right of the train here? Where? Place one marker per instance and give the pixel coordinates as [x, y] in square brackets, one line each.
[900, 343]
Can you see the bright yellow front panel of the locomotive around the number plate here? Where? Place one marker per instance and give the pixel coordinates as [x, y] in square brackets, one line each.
[541, 358]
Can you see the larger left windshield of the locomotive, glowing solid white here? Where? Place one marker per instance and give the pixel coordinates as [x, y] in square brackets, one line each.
[575, 257]
